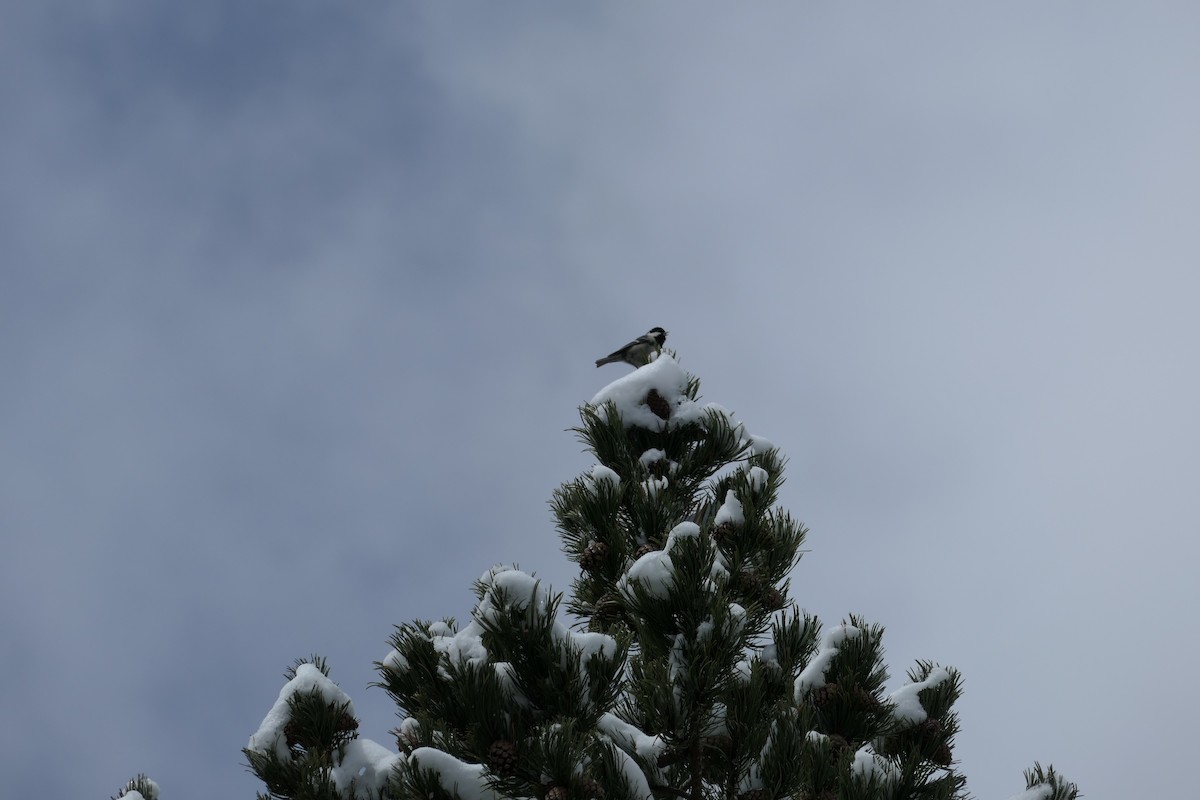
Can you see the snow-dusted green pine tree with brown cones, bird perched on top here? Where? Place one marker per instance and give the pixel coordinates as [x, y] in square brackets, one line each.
[677, 669]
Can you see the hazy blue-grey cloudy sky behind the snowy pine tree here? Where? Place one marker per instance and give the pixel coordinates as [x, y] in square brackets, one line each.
[299, 299]
